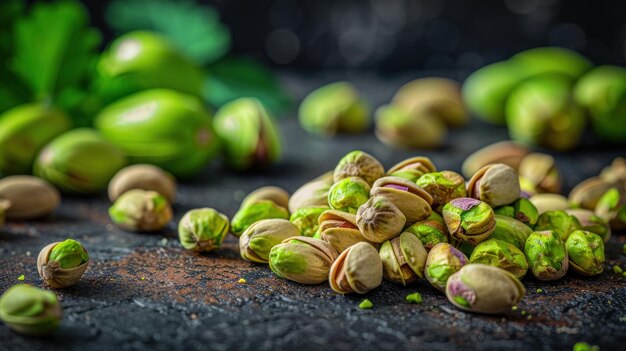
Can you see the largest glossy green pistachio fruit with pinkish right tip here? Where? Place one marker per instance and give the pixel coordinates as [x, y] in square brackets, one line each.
[161, 127]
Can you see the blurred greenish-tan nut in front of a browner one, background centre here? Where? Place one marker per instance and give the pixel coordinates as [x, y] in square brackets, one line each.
[403, 129]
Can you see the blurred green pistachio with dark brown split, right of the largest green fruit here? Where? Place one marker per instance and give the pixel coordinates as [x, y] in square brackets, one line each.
[248, 133]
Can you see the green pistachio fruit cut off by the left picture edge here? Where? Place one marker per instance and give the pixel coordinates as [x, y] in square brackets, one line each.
[24, 131]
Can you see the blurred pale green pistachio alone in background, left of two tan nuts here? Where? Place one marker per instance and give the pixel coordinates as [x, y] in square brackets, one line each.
[334, 108]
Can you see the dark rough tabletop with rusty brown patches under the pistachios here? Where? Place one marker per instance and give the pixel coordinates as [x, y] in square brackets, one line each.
[143, 292]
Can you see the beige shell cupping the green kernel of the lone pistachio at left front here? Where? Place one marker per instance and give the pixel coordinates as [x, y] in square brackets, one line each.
[55, 276]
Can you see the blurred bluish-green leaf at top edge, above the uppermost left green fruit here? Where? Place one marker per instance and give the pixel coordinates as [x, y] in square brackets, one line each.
[194, 29]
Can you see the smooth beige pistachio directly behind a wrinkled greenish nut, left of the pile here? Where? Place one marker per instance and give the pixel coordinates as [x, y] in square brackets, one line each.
[145, 177]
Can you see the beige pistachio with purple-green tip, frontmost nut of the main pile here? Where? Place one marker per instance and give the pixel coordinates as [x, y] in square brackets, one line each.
[484, 289]
